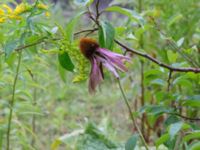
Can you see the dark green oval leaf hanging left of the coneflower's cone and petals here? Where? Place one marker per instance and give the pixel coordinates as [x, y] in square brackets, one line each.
[65, 61]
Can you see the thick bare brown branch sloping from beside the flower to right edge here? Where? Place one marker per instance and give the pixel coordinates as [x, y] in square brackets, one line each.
[189, 69]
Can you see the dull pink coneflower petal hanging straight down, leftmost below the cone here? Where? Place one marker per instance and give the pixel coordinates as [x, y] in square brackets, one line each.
[95, 75]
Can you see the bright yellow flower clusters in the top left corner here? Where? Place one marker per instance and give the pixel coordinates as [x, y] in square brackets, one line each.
[6, 12]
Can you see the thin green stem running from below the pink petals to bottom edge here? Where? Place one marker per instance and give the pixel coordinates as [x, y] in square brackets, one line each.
[131, 115]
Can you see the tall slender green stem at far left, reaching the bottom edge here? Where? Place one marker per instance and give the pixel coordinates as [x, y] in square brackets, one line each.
[12, 102]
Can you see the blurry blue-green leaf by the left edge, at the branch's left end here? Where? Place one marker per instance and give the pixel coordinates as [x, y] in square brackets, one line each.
[10, 47]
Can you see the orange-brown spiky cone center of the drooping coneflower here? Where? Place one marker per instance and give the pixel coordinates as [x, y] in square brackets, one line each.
[88, 47]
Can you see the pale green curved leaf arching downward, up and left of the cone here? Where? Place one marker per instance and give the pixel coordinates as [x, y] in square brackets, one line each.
[71, 26]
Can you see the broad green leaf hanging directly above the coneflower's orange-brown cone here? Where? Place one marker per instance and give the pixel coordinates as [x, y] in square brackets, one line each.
[106, 35]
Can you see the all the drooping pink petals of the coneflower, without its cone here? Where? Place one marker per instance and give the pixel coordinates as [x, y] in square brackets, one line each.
[112, 61]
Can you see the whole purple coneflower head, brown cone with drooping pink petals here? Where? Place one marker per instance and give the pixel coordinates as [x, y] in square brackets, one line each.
[98, 58]
